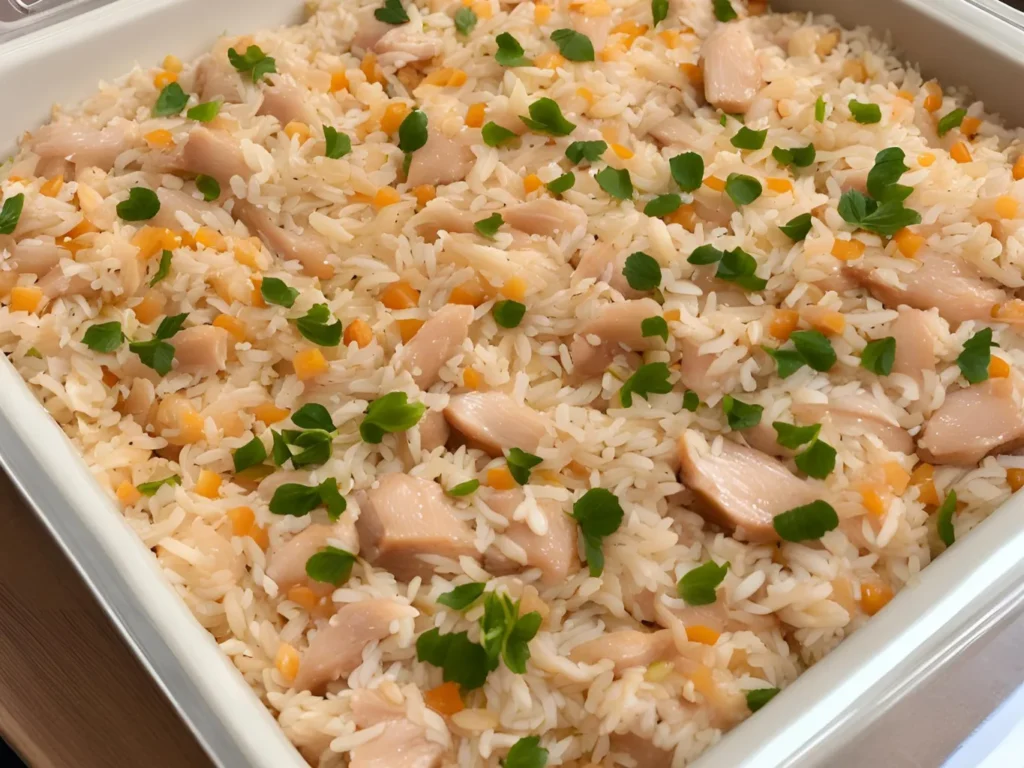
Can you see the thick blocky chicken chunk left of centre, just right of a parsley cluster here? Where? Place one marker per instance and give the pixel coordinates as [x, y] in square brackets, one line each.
[407, 517]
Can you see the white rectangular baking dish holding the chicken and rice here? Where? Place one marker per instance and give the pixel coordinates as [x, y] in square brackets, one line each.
[970, 590]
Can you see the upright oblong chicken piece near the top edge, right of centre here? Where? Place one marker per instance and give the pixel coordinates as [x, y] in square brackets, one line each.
[732, 71]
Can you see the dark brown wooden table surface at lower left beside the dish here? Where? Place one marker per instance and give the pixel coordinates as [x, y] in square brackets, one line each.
[71, 692]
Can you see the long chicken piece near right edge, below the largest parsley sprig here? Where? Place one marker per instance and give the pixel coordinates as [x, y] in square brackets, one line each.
[947, 283]
